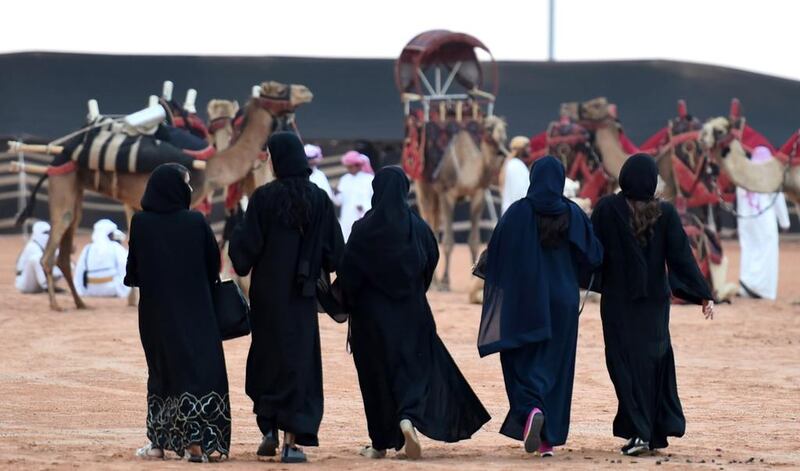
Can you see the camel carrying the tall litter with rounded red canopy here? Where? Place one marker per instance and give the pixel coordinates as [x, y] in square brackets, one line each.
[466, 171]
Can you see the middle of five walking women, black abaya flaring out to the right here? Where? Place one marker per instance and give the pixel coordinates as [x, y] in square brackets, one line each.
[408, 379]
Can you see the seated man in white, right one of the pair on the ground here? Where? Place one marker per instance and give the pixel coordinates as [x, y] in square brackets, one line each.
[101, 265]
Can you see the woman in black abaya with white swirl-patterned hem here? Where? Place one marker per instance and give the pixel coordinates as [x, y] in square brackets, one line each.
[174, 260]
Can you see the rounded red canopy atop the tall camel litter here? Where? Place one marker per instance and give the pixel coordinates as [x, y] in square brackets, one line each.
[440, 47]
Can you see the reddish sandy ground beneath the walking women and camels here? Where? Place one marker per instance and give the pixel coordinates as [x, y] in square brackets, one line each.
[72, 388]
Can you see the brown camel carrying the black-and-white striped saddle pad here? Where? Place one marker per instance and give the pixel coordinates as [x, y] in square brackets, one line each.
[263, 114]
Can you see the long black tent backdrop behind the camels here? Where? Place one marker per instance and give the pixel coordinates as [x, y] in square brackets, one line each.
[44, 95]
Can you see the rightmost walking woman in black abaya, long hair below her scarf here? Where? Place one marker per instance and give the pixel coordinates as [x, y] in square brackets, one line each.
[647, 256]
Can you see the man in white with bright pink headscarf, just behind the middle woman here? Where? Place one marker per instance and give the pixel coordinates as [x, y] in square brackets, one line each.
[354, 191]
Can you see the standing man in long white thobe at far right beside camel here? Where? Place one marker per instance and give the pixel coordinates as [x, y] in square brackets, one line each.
[760, 214]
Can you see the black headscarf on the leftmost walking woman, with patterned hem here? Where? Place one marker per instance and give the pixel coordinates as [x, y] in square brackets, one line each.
[167, 190]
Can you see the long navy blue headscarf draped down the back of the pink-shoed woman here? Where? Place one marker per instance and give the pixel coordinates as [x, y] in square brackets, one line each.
[517, 304]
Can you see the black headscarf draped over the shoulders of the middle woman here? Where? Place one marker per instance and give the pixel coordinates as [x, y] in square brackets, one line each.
[383, 246]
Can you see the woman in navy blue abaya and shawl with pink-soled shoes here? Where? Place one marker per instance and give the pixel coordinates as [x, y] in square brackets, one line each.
[539, 250]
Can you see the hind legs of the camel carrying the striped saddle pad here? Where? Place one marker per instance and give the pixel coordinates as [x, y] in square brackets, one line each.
[63, 194]
